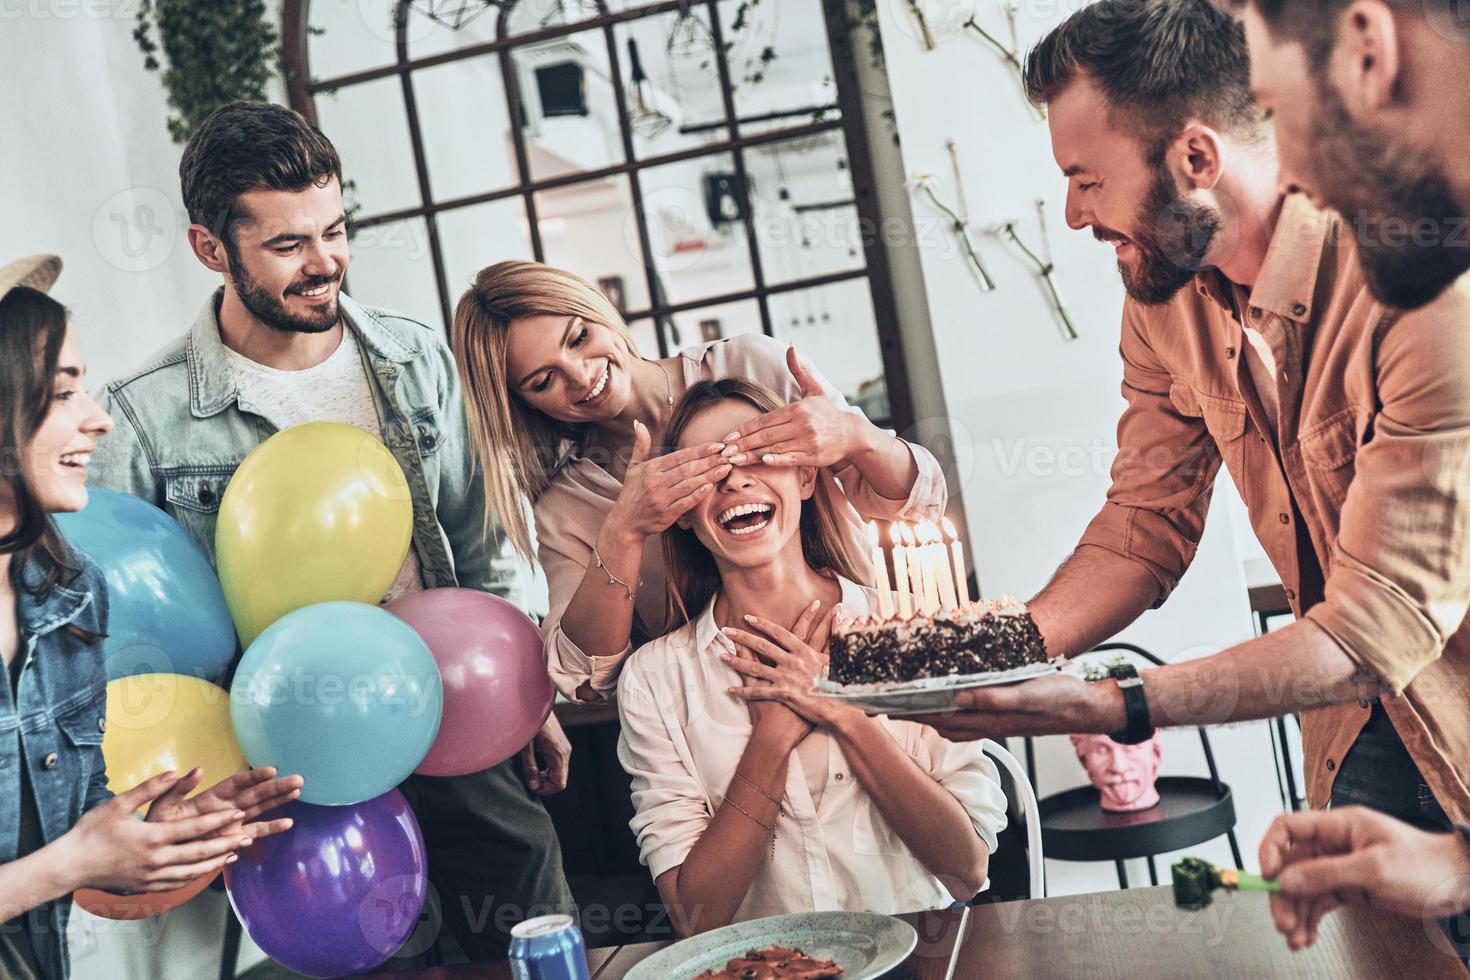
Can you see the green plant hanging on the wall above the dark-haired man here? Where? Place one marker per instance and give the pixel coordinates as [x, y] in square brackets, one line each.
[214, 52]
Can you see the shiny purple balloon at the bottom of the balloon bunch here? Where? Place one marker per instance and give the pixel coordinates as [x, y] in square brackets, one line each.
[340, 891]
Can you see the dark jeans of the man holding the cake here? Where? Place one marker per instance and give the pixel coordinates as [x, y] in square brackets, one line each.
[1380, 774]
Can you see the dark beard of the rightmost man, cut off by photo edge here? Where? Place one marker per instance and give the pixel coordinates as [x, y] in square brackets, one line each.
[1410, 230]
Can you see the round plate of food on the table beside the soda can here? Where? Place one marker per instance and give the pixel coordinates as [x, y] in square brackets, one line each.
[839, 945]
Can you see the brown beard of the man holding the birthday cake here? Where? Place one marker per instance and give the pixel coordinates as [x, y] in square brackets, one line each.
[1172, 239]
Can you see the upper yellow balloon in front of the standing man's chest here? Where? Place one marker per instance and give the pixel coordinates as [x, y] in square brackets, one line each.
[318, 512]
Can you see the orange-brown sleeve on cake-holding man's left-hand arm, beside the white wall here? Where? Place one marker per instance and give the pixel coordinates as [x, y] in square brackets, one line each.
[1165, 469]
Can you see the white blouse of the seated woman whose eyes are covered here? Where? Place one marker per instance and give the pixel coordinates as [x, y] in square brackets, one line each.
[683, 737]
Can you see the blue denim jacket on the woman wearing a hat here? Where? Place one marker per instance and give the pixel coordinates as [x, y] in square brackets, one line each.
[55, 728]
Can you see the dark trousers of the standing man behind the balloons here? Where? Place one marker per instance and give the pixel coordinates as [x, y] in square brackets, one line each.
[495, 862]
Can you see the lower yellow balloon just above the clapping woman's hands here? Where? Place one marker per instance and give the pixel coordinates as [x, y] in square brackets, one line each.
[168, 722]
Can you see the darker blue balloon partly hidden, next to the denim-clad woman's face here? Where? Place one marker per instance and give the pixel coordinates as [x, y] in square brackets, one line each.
[167, 613]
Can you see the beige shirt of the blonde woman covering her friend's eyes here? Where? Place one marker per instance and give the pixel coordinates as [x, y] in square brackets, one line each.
[573, 509]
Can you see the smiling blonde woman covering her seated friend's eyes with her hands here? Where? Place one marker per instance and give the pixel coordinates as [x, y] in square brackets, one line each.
[570, 418]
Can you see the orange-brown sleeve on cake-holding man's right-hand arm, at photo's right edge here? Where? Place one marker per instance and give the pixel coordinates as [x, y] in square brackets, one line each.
[1400, 580]
